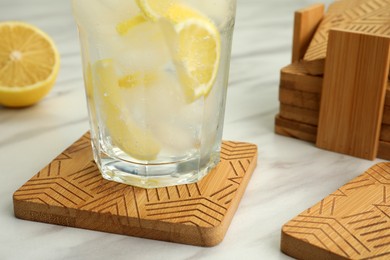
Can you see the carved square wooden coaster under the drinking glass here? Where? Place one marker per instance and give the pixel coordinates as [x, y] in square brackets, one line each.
[71, 192]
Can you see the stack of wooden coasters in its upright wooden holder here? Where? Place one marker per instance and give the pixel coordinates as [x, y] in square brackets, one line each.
[336, 92]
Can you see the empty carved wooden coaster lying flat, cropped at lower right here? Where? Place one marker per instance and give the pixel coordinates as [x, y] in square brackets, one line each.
[351, 223]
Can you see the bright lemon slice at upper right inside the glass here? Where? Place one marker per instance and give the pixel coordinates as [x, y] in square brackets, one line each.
[197, 51]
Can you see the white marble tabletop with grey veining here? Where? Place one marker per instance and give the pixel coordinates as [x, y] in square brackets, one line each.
[291, 176]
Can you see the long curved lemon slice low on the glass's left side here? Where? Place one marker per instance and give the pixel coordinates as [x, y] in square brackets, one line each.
[125, 134]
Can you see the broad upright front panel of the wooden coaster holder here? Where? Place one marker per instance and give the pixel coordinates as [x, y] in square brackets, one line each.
[353, 93]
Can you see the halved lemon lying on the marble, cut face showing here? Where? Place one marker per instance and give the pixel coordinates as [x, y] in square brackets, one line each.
[29, 64]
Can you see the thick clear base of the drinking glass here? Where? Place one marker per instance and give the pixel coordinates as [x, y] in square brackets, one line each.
[156, 175]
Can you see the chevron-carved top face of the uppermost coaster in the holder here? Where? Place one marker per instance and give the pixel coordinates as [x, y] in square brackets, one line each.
[366, 16]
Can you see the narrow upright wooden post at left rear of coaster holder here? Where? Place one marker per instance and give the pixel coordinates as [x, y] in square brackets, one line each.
[306, 21]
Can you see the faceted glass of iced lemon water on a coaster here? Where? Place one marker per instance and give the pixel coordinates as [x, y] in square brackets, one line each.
[156, 74]
